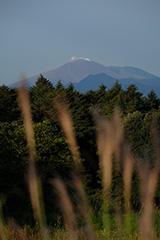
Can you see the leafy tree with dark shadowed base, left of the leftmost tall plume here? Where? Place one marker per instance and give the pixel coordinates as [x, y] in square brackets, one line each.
[13, 166]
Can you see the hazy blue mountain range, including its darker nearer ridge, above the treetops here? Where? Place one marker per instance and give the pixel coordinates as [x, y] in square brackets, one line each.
[86, 74]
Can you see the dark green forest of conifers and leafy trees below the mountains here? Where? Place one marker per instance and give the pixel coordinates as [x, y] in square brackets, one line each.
[53, 155]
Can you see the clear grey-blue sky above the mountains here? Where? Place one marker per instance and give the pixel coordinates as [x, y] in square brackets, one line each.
[37, 36]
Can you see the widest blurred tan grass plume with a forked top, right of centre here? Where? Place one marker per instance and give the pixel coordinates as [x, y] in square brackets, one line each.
[109, 136]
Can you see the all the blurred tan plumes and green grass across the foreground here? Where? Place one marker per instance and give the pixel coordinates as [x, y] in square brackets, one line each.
[80, 221]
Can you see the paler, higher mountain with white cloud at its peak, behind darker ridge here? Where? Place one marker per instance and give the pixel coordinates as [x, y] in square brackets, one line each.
[75, 71]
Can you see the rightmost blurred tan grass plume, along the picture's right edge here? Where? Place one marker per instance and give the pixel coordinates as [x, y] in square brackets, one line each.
[149, 180]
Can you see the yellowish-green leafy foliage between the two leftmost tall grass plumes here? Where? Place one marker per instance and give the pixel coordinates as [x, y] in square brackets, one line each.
[53, 155]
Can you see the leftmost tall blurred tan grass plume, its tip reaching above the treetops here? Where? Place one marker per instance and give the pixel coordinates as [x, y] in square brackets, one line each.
[33, 180]
